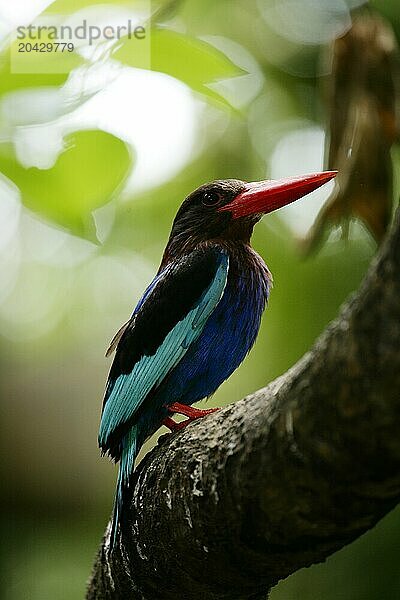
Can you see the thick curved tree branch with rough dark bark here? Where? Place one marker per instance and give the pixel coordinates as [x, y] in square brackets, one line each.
[278, 480]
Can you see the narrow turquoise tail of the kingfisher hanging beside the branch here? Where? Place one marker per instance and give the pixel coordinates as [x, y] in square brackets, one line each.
[129, 452]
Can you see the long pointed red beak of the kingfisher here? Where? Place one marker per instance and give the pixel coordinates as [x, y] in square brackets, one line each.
[269, 195]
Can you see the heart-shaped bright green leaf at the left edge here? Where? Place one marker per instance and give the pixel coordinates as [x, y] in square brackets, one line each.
[85, 177]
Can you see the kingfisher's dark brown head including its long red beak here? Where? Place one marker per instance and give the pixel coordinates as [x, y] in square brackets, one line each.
[228, 209]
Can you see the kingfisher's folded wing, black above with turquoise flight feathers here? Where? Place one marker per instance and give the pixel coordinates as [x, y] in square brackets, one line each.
[175, 308]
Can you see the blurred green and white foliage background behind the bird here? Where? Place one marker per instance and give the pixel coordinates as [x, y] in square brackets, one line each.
[95, 162]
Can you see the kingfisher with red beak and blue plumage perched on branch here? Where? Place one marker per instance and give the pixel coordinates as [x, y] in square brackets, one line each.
[196, 321]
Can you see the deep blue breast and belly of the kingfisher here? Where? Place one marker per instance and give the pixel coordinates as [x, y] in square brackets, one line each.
[228, 335]
